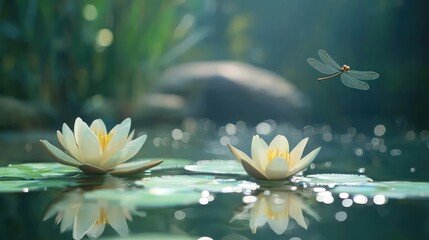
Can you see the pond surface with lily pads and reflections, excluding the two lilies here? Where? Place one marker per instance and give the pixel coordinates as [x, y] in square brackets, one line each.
[364, 184]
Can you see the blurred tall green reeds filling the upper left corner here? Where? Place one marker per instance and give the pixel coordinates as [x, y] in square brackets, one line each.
[50, 51]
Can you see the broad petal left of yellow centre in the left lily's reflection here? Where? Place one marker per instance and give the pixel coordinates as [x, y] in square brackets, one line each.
[85, 219]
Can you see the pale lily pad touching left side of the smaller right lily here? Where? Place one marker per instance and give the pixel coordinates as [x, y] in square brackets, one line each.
[217, 167]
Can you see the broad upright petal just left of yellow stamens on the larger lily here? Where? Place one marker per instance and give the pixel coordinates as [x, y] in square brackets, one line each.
[90, 149]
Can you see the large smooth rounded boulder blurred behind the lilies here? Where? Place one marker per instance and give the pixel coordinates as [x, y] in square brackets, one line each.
[226, 91]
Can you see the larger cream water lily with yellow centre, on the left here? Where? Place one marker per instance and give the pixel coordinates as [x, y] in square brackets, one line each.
[95, 151]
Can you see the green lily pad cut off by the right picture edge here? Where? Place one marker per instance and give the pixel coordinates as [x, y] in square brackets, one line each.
[391, 189]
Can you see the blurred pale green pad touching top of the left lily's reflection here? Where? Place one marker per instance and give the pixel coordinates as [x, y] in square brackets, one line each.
[145, 197]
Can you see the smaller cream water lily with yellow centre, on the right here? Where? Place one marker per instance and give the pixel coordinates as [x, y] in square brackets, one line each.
[274, 161]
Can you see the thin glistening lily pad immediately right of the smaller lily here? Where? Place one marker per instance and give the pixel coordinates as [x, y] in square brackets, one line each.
[331, 179]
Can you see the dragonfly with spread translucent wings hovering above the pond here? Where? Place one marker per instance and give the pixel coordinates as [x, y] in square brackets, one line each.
[350, 78]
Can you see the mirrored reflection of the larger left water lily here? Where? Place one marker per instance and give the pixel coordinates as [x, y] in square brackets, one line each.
[89, 216]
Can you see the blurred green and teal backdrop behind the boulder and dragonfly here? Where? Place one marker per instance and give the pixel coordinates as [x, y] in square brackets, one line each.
[59, 58]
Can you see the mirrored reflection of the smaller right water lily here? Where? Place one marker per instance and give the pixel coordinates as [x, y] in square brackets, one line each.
[275, 208]
